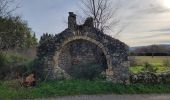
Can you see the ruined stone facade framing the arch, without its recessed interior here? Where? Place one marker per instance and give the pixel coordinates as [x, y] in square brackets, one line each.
[115, 51]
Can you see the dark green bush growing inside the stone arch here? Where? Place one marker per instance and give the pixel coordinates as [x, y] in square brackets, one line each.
[86, 71]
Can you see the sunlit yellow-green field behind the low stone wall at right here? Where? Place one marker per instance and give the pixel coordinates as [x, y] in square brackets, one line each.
[156, 61]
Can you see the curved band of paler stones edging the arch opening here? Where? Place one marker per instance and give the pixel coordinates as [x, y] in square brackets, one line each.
[108, 71]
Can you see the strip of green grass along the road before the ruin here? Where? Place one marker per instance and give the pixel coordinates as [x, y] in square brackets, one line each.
[76, 87]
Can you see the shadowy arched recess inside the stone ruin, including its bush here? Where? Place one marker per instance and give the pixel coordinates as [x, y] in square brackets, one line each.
[81, 56]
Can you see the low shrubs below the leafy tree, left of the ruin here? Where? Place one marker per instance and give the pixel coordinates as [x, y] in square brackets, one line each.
[16, 66]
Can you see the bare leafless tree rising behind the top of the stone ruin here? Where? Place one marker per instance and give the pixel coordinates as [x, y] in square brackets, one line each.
[103, 13]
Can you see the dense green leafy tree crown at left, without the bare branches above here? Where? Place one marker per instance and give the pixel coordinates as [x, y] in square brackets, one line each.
[15, 33]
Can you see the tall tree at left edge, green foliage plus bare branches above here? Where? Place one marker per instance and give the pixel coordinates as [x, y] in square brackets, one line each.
[14, 32]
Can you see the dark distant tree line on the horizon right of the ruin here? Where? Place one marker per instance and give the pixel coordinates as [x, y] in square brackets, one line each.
[153, 50]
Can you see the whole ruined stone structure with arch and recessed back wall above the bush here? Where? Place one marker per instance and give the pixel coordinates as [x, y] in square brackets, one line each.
[83, 44]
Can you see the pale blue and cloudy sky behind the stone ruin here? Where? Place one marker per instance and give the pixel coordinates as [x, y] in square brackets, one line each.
[144, 22]
